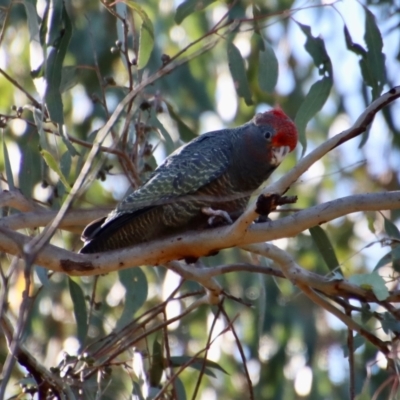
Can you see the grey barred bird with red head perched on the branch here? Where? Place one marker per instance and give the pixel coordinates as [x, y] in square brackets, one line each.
[205, 183]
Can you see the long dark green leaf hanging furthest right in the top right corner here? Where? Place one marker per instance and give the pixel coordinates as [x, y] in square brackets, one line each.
[376, 57]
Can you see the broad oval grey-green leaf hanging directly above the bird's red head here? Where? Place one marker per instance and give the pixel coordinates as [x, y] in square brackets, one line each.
[267, 69]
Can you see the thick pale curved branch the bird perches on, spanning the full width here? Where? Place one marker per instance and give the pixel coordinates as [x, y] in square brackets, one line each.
[196, 244]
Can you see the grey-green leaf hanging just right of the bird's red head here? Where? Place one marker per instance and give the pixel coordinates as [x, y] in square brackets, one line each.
[312, 103]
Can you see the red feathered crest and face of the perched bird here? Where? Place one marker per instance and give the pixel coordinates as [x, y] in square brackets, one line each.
[285, 129]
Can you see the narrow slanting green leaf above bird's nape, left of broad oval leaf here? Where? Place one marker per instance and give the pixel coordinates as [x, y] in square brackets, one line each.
[238, 72]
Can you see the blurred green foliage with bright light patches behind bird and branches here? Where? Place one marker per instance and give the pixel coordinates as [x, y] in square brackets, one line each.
[65, 67]
